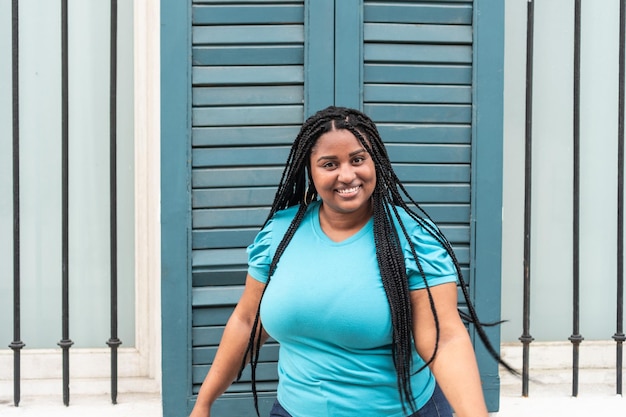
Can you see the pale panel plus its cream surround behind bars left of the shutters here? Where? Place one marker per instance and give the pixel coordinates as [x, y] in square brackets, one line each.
[138, 193]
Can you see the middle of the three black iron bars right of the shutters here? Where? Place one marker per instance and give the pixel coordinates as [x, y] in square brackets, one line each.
[576, 338]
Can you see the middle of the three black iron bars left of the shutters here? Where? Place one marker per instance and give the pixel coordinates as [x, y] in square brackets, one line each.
[65, 342]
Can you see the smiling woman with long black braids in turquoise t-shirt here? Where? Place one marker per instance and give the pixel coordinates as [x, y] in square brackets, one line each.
[359, 290]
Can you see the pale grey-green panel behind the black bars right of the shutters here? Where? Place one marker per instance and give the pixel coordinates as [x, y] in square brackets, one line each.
[551, 255]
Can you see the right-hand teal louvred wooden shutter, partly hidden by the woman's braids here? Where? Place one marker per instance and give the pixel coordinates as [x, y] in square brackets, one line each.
[416, 79]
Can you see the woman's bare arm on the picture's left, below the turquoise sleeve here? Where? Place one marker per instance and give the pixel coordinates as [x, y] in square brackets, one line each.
[232, 347]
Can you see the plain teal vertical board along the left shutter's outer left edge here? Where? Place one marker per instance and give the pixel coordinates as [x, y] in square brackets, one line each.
[176, 205]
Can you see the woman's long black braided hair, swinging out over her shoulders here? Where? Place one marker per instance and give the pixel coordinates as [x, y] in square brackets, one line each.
[296, 189]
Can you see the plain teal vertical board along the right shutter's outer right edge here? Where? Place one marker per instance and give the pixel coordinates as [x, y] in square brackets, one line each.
[486, 192]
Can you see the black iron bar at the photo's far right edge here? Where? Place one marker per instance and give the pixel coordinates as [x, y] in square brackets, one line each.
[619, 332]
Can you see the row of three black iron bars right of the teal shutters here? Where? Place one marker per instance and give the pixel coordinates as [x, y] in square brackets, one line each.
[576, 338]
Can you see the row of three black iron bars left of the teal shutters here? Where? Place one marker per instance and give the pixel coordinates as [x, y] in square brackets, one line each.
[65, 343]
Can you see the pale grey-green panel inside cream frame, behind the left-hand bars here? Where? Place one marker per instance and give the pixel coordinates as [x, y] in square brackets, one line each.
[40, 173]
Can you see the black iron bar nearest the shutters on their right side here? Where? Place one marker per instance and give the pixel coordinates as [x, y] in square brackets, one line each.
[526, 338]
